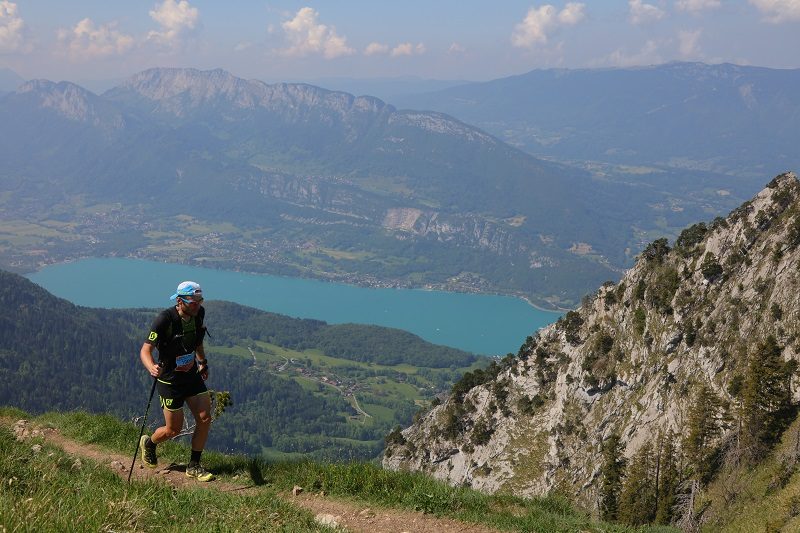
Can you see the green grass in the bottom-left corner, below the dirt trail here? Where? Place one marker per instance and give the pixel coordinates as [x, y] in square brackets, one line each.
[47, 490]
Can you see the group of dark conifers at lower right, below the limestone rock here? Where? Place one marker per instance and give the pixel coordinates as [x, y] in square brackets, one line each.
[660, 481]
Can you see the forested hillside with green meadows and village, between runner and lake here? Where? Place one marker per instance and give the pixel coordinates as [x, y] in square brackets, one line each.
[296, 384]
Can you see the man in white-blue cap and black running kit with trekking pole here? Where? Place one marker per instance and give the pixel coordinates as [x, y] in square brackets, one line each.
[177, 333]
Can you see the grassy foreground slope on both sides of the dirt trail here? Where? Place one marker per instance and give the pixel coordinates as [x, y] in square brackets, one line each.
[47, 492]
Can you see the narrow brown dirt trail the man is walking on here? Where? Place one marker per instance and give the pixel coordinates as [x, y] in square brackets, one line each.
[347, 515]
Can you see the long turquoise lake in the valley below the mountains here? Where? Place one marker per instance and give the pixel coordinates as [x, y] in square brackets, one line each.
[483, 324]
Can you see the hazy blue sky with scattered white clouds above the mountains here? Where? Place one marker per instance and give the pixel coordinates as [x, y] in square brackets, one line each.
[433, 39]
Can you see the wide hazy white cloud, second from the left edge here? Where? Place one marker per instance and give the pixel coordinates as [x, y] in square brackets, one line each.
[86, 41]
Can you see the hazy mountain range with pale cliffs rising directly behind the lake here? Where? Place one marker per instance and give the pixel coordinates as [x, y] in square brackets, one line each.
[299, 180]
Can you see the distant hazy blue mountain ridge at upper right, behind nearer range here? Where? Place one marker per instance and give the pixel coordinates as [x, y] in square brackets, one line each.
[729, 119]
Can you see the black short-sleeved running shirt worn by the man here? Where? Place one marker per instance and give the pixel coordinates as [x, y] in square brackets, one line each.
[176, 341]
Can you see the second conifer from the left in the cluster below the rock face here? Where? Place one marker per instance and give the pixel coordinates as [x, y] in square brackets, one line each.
[637, 500]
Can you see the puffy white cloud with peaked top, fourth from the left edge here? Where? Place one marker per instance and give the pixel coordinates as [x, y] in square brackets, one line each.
[308, 37]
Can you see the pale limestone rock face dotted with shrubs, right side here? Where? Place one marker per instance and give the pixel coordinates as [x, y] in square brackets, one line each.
[628, 361]
